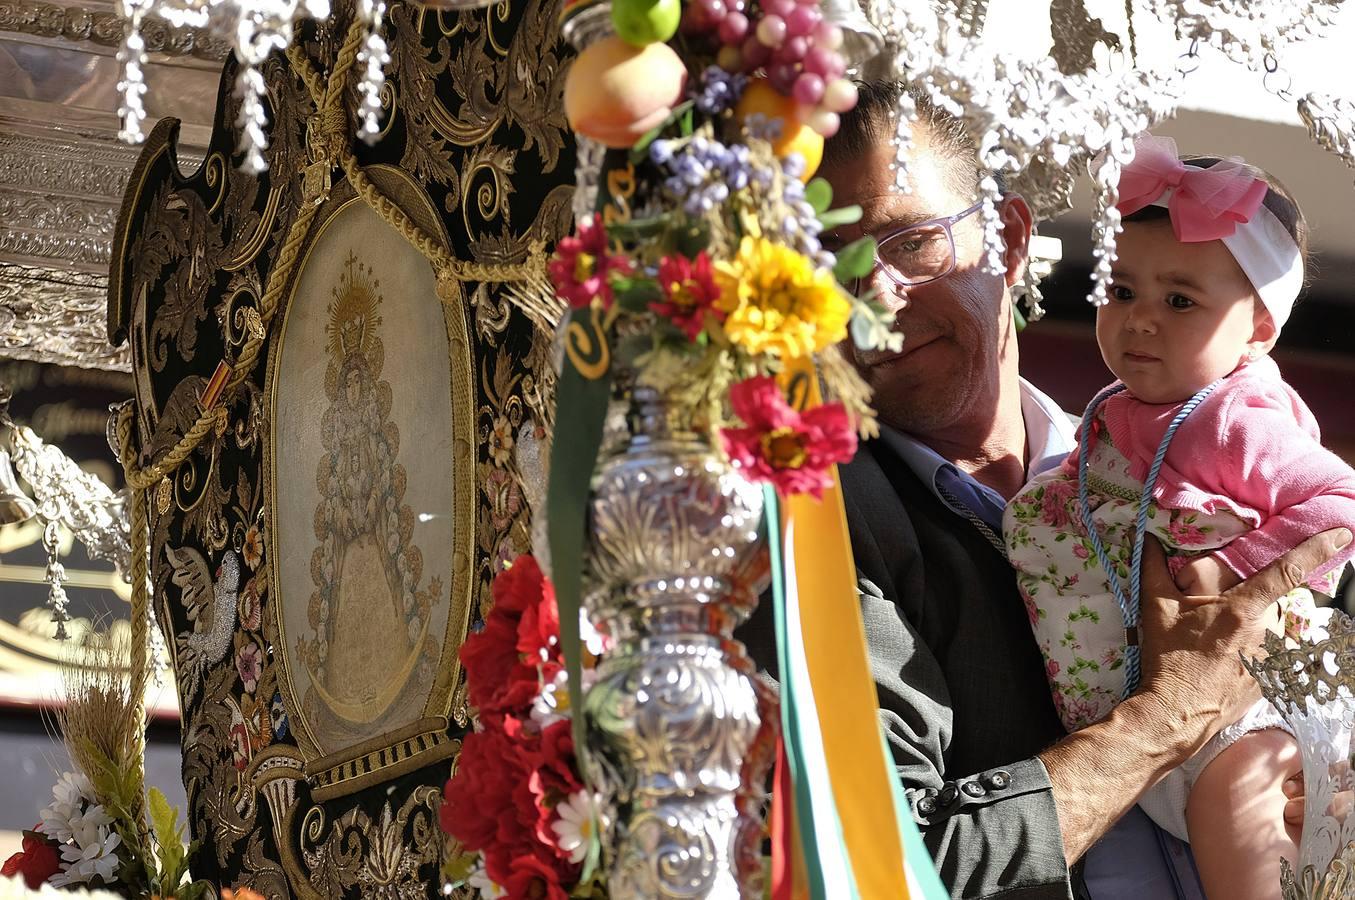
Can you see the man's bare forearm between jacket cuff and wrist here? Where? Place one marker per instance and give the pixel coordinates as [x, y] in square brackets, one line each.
[1100, 772]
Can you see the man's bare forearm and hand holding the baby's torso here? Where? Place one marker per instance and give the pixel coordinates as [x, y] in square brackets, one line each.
[1193, 685]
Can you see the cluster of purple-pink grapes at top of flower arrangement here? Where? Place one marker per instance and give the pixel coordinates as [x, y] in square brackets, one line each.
[787, 40]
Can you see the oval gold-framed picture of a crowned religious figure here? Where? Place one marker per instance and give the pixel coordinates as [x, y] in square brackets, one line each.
[371, 494]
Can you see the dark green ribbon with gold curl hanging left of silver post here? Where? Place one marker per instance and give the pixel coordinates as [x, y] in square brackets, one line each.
[581, 413]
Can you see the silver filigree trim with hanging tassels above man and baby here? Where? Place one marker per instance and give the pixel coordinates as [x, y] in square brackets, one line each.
[1032, 116]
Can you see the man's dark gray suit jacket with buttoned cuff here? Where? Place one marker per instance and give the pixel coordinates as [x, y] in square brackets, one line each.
[961, 685]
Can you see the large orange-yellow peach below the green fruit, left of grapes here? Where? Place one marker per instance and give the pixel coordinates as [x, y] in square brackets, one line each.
[616, 91]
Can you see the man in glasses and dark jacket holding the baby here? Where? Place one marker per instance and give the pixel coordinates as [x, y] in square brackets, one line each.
[1005, 799]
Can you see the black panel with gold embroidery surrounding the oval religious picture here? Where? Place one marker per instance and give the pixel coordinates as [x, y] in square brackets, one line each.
[320, 556]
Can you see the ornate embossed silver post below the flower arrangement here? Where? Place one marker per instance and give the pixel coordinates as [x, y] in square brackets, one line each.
[681, 731]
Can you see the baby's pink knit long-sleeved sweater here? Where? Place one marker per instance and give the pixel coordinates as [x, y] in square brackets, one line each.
[1253, 448]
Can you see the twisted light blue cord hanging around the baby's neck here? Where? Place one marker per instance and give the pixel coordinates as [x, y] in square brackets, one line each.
[1129, 602]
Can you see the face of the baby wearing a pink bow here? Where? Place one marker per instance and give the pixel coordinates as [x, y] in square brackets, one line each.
[1181, 316]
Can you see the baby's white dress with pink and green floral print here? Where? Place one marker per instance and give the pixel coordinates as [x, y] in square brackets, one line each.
[1072, 609]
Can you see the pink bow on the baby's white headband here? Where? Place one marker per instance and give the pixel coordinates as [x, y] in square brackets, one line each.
[1205, 205]
